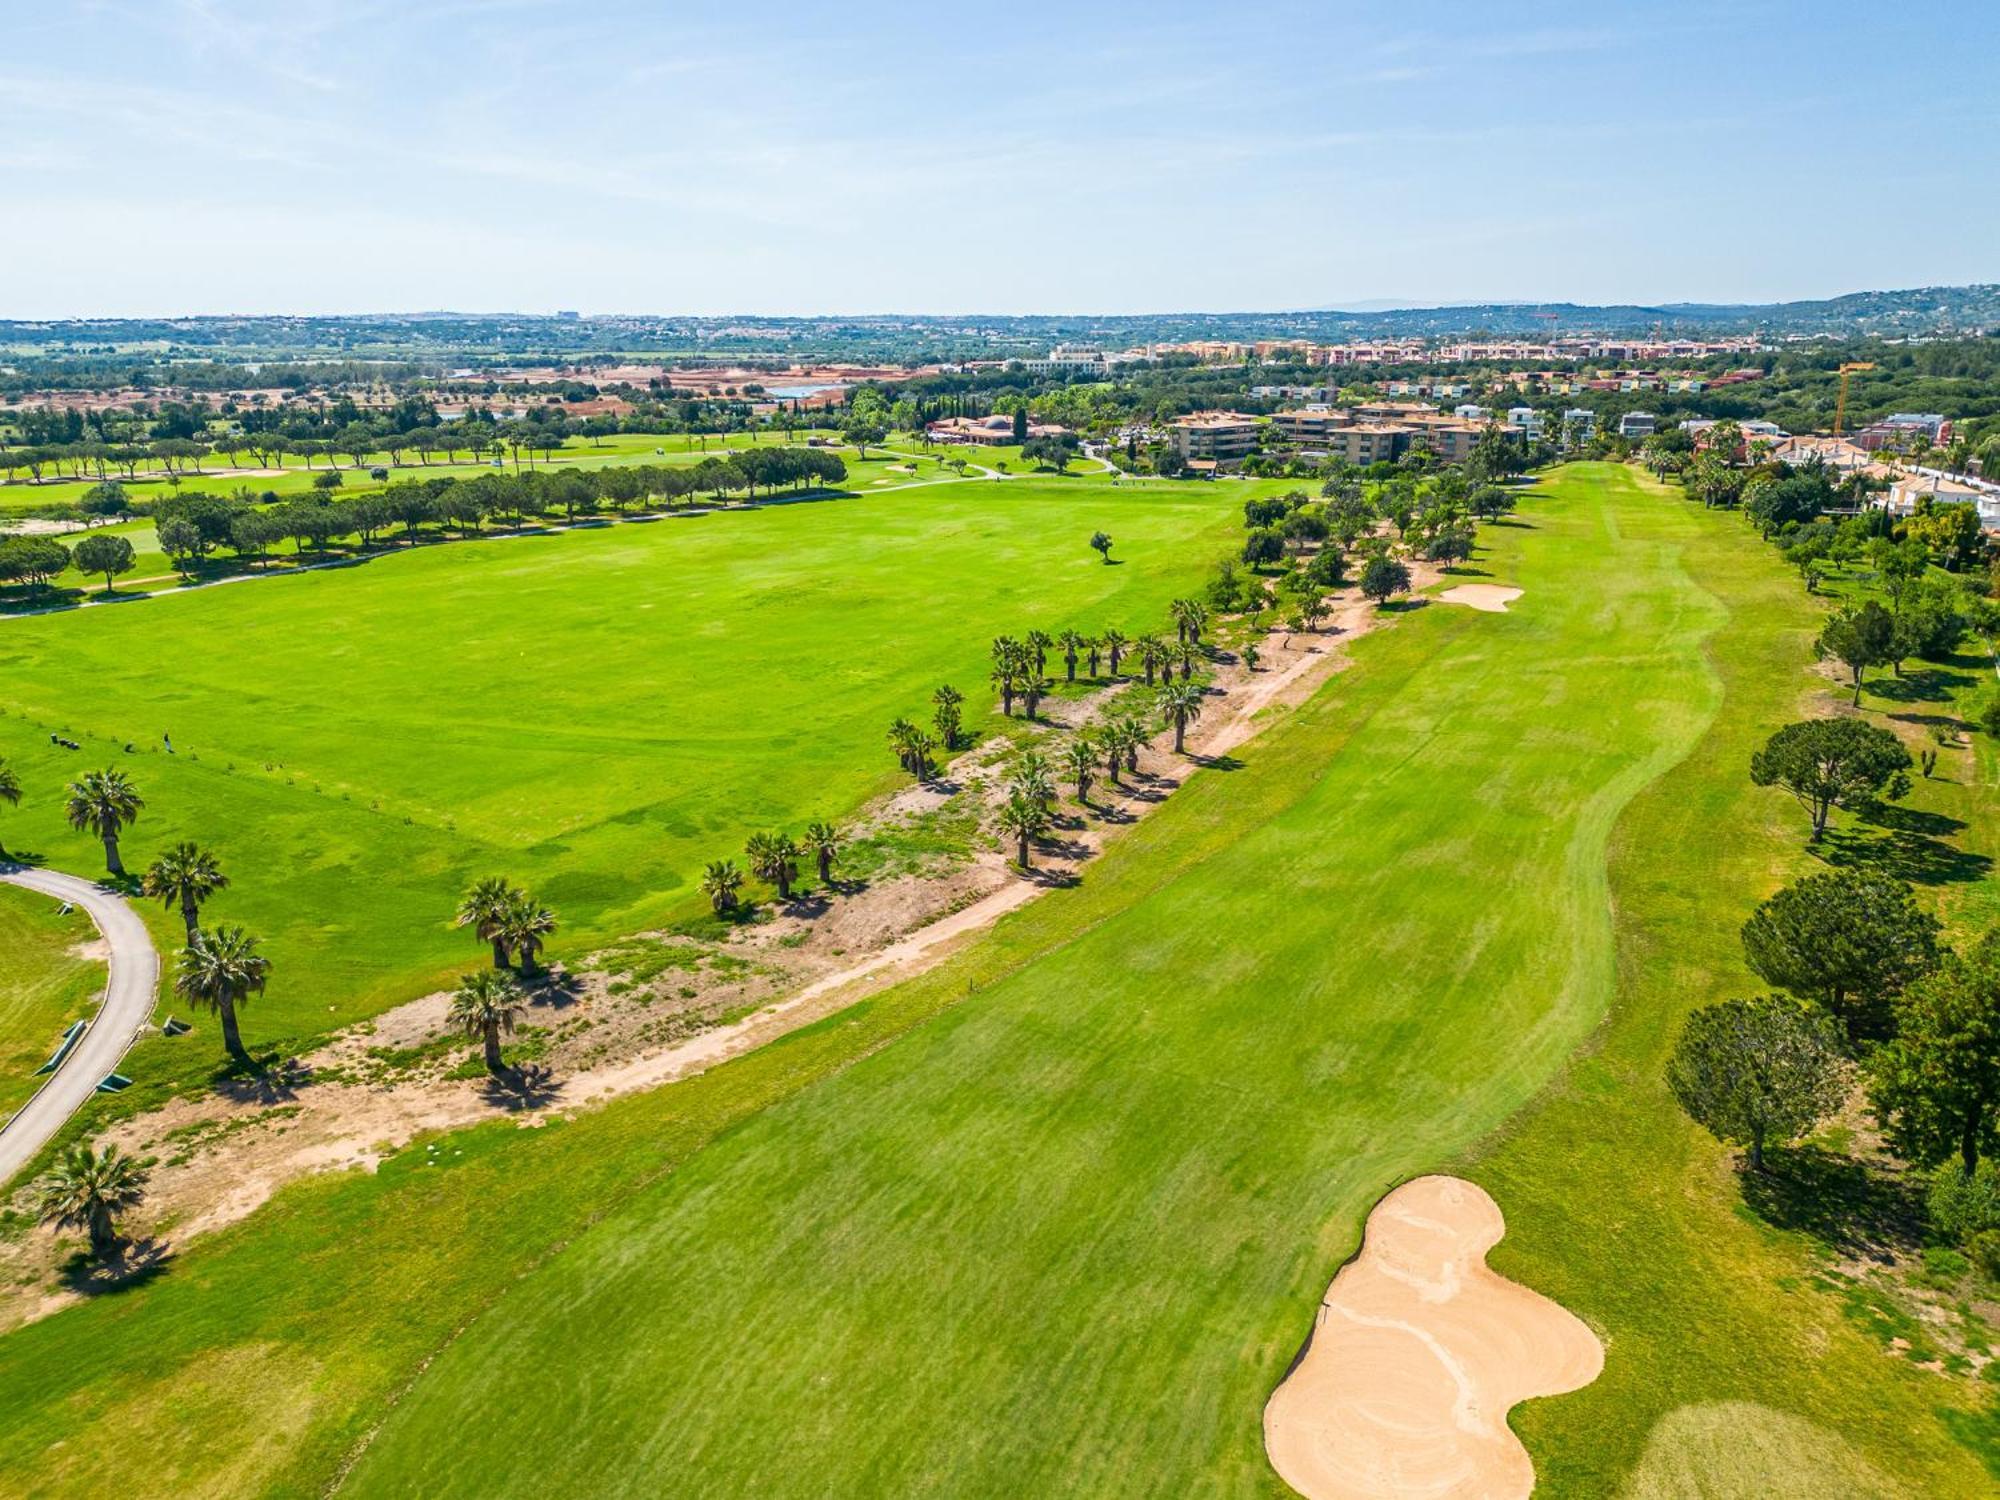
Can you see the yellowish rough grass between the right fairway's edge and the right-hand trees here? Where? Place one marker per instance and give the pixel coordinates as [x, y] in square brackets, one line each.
[1629, 1215]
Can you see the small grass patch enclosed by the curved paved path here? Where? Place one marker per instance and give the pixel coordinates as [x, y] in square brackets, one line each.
[45, 985]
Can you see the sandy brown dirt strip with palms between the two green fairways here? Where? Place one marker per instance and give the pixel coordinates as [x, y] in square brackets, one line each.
[333, 1113]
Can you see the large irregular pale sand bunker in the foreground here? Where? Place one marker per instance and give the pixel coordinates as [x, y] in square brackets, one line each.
[1417, 1357]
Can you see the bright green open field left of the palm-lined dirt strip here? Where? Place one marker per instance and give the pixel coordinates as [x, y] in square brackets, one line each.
[591, 713]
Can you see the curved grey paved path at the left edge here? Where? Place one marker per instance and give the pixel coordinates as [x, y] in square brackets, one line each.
[129, 999]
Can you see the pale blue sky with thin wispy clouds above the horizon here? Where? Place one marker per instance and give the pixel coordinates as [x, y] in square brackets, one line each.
[883, 157]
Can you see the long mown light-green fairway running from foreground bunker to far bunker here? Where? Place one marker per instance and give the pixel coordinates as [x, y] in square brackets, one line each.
[1065, 1239]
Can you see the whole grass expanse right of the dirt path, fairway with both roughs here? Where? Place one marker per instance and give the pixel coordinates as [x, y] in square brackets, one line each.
[1055, 1217]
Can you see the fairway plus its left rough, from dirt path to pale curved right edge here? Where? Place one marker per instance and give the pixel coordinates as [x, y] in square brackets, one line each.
[1063, 1237]
